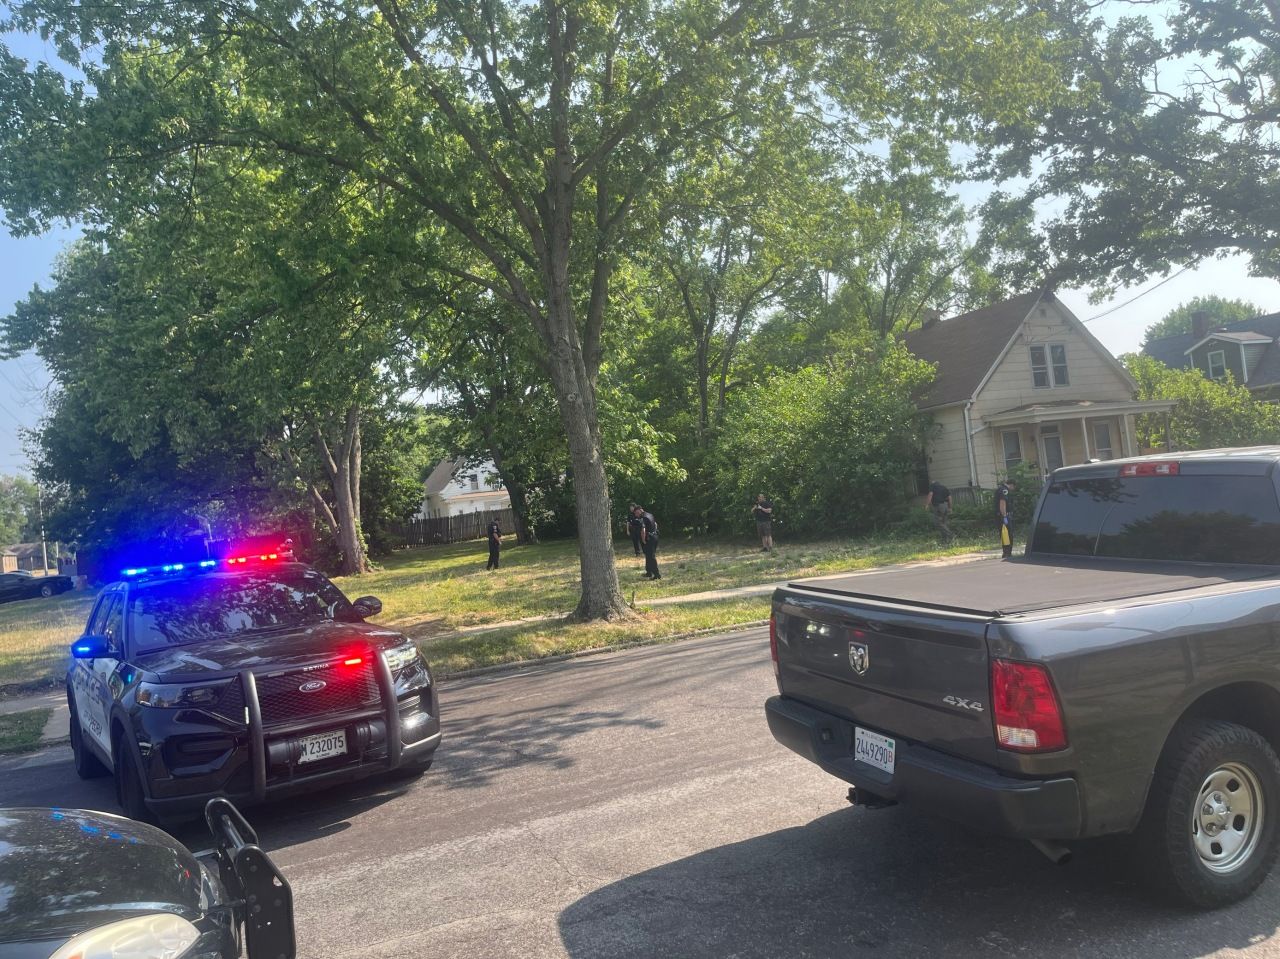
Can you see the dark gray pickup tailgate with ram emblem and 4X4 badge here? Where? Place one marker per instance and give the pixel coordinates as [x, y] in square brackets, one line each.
[915, 674]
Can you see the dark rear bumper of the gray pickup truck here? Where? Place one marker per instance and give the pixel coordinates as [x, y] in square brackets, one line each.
[930, 780]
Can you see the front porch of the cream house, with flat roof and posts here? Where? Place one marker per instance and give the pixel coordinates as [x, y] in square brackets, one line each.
[1049, 436]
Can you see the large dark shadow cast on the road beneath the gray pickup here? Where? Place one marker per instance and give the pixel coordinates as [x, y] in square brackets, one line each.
[895, 884]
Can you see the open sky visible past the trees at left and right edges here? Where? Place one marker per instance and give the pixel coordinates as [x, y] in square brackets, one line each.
[28, 261]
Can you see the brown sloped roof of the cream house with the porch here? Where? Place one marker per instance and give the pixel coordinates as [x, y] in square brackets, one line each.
[966, 348]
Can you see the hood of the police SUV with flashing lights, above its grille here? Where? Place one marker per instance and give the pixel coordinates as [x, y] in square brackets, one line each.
[275, 650]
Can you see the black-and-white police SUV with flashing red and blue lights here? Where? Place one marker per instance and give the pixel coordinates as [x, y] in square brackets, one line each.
[246, 677]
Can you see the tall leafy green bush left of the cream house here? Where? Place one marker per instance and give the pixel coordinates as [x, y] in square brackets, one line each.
[830, 445]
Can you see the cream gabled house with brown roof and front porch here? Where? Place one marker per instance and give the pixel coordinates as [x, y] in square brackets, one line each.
[1023, 381]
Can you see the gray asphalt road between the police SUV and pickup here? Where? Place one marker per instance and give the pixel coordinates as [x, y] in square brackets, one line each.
[636, 806]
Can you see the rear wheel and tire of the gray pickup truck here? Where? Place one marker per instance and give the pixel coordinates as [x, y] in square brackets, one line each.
[1210, 828]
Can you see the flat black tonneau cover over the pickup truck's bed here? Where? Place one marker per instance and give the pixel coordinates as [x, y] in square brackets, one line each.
[1008, 587]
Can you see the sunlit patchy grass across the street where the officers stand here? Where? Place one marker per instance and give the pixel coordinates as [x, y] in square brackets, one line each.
[431, 593]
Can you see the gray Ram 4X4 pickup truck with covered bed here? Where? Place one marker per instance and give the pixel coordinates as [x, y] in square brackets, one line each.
[1123, 677]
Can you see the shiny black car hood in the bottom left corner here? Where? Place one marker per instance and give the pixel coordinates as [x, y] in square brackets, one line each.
[66, 871]
